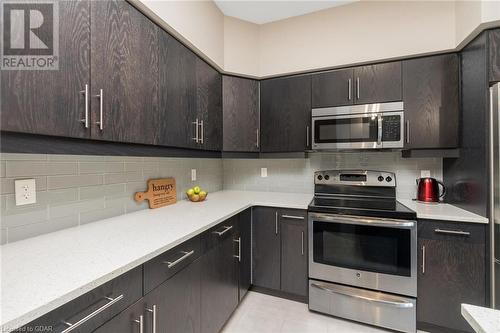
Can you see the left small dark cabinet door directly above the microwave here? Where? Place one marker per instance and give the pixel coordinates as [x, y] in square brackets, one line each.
[333, 88]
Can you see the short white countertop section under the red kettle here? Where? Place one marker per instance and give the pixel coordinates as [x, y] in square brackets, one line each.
[442, 211]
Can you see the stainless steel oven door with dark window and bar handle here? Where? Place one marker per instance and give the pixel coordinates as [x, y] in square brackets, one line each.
[372, 253]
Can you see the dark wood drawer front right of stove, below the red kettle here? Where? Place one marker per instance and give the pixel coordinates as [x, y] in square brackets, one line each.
[473, 233]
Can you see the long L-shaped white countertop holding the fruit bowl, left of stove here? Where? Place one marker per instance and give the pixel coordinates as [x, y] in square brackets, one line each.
[42, 273]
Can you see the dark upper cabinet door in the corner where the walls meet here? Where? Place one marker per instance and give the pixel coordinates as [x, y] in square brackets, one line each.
[240, 105]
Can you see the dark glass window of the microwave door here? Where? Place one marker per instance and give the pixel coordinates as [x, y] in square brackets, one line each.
[340, 130]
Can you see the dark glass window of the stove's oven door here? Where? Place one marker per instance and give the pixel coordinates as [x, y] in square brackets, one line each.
[367, 248]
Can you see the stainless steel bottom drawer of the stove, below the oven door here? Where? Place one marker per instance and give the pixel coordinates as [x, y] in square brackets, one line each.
[374, 308]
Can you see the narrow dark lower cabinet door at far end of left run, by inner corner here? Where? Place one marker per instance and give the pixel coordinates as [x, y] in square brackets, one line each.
[245, 253]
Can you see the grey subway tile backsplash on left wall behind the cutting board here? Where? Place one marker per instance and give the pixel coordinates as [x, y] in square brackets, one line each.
[78, 189]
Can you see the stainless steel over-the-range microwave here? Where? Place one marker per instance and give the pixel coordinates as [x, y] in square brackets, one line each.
[368, 126]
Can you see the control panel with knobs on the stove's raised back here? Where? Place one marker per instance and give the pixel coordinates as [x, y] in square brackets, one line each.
[355, 177]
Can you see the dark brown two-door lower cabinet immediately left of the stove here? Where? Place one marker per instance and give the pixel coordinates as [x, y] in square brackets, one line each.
[280, 250]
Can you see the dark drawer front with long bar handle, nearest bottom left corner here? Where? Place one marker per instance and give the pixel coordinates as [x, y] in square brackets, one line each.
[94, 308]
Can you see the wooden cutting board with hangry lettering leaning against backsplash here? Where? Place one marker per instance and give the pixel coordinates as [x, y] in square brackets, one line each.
[161, 192]
